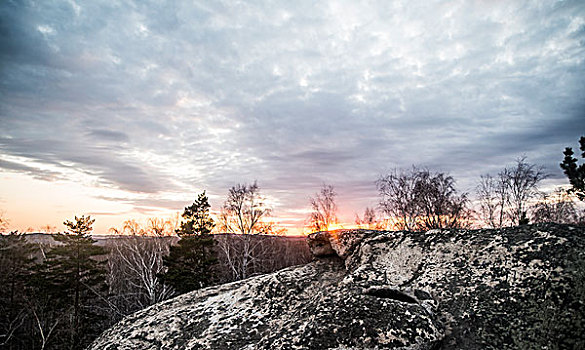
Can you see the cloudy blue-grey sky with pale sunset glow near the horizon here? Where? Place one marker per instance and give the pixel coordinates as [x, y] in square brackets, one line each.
[129, 109]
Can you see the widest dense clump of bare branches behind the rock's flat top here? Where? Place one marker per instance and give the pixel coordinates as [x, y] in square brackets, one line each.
[421, 200]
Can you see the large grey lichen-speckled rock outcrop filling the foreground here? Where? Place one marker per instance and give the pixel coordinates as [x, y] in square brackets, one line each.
[512, 288]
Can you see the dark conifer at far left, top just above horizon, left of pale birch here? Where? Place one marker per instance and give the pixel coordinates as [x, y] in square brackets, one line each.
[72, 282]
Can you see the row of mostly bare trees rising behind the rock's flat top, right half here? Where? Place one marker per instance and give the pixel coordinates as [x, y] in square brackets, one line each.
[419, 199]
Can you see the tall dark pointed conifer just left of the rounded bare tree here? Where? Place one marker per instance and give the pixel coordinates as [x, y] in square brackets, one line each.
[190, 263]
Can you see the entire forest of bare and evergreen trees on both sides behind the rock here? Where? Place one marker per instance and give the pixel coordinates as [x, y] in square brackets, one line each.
[61, 291]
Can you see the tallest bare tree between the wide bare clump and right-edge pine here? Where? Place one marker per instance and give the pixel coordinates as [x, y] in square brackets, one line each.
[522, 181]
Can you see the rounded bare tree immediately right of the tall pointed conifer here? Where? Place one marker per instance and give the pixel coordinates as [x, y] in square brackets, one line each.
[242, 215]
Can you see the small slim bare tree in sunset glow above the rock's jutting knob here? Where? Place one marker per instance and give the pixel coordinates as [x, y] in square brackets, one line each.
[324, 209]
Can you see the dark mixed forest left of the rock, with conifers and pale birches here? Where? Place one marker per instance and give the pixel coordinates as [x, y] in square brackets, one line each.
[63, 295]
